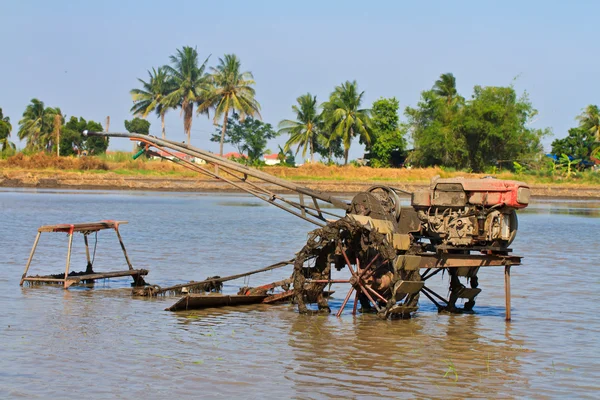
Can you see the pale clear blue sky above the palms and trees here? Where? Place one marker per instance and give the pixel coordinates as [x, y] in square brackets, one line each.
[85, 56]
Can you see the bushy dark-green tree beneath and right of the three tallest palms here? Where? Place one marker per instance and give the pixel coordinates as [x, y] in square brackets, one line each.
[248, 136]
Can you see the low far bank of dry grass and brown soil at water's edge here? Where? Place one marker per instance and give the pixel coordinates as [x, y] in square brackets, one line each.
[341, 181]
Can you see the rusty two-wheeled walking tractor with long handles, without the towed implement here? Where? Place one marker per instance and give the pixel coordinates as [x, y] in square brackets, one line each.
[391, 251]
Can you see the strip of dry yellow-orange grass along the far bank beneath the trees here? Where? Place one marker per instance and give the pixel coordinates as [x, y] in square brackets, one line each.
[121, 164]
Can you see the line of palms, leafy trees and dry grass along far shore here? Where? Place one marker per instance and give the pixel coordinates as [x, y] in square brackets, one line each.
[445, 134]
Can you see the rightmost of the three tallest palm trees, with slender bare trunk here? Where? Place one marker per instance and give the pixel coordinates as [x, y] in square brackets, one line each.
[231, 91]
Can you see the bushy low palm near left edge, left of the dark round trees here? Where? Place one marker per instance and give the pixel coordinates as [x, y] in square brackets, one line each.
[36, 124]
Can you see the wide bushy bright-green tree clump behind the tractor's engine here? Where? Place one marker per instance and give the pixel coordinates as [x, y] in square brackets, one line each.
[490, 128]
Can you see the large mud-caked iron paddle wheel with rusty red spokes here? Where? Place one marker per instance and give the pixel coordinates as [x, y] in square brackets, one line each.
[378, 282]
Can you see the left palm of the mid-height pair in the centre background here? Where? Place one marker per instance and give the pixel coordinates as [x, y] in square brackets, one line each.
[304, 131]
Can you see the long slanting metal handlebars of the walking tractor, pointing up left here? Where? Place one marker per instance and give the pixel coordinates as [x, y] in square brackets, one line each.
[237, 175]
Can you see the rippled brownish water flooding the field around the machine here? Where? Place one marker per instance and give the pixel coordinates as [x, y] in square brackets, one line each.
[101, 343]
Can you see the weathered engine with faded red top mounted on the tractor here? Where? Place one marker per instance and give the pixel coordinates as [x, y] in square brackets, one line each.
[460, 212]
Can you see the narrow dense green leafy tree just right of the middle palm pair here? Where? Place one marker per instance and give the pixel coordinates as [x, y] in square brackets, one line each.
[387, 138]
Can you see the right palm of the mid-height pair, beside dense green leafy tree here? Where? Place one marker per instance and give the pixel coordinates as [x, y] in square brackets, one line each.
[344, 118]
